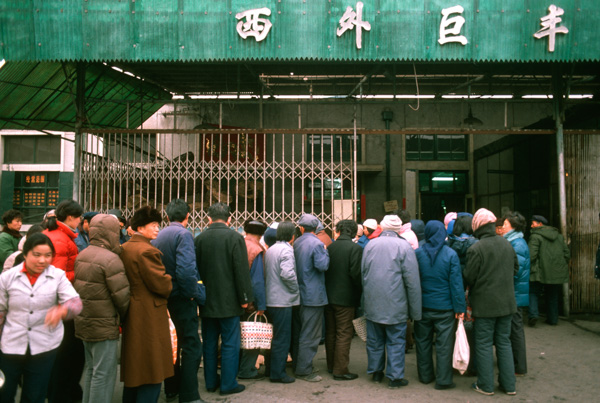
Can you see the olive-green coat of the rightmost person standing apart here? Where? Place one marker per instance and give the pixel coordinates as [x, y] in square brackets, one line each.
[549, 256]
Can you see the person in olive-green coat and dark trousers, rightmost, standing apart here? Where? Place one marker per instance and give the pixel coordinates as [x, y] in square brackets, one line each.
[549, 268]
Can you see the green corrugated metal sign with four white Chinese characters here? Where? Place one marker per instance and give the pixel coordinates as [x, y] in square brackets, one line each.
[326, 30]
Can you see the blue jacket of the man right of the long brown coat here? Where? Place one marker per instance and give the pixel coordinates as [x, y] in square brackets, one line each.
[179, 257]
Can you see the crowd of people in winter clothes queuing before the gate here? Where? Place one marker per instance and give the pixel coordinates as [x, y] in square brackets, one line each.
[77, 283]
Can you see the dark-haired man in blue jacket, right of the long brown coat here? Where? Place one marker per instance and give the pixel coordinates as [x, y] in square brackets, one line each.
[178, 255]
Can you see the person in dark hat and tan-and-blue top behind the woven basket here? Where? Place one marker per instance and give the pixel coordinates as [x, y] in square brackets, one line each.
[254, 230]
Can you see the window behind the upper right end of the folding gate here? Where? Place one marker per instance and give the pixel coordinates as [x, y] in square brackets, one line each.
[339, 147]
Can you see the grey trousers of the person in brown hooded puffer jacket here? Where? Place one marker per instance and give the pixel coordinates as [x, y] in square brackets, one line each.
[100, 371]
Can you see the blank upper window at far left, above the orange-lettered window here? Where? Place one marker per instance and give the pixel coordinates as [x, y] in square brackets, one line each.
[32, 150]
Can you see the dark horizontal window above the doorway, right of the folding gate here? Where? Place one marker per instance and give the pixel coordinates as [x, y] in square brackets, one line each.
[436, 147]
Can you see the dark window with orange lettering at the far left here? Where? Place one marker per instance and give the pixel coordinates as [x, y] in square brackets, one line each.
[34, 194]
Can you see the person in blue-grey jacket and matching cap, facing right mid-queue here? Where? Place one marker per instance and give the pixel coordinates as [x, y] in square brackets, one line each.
[312, 261]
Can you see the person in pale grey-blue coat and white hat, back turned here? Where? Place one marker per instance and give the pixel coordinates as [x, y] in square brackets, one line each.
[392, 295]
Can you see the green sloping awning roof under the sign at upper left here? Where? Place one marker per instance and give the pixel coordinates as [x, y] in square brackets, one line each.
[42, 96]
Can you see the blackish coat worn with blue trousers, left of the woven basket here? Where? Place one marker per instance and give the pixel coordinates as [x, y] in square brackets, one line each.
[223, 264]
